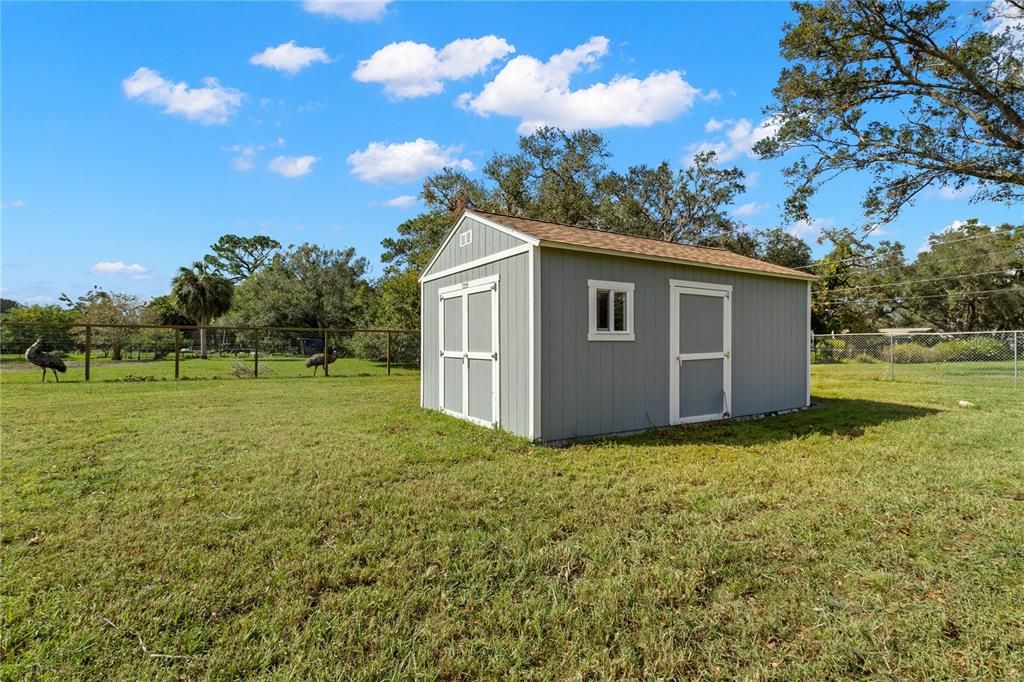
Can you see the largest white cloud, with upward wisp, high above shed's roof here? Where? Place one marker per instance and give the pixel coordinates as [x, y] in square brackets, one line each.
[539, 94]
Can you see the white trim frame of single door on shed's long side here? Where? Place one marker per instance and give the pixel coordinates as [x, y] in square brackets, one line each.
[676, 360]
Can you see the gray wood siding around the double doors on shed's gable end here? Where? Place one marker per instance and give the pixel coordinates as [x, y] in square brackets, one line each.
[514, 338]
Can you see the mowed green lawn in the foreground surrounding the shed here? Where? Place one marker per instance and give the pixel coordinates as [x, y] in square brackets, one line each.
[331, 530]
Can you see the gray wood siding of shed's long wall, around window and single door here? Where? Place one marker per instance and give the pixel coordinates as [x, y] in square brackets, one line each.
[595, 388]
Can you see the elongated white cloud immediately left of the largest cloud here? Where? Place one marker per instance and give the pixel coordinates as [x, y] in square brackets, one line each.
[415, 70]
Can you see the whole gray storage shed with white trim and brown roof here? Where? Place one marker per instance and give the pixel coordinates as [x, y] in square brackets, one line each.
[553, 332]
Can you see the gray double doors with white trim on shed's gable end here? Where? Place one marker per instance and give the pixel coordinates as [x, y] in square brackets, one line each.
[470, 369]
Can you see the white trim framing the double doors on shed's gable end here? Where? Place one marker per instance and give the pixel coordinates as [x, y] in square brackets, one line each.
[463, 291]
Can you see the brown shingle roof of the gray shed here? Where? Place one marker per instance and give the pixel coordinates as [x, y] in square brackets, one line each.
[554, 234]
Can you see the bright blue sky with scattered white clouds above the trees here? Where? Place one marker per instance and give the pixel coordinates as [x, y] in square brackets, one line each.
[122, 160]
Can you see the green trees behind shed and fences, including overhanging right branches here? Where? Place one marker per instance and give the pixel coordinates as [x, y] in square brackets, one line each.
[915, 96]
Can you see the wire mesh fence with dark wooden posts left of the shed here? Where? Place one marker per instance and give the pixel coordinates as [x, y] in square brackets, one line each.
[141, 353]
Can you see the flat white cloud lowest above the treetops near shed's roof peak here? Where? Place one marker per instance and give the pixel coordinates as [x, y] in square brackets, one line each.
[404, 162]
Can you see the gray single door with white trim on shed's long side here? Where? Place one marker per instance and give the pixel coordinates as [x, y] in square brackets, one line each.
[701, 352]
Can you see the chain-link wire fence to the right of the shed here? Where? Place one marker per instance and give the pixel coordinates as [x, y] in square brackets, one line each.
[992, 359]
